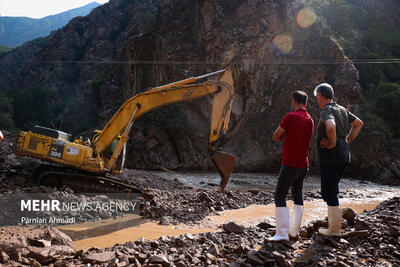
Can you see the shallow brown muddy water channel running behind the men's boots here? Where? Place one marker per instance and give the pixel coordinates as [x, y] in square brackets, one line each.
[106, 233]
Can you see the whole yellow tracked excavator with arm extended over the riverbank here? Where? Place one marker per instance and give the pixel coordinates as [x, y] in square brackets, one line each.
[83, 164]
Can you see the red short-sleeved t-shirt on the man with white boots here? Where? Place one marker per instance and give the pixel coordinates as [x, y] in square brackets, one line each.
[299, 127]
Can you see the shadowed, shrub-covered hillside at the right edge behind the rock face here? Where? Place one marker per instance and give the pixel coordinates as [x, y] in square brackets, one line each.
[369, 33]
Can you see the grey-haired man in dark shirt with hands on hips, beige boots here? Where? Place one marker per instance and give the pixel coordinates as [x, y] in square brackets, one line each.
[337, 128]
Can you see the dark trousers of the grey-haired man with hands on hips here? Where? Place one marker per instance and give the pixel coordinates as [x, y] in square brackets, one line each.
[330, 177]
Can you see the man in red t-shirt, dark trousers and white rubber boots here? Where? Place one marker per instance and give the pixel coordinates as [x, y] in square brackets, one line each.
[295, 131]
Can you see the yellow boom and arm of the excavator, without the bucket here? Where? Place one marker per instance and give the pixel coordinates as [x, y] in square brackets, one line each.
[185, 90]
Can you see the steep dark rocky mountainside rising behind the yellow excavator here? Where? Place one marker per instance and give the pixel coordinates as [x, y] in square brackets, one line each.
[97, 62]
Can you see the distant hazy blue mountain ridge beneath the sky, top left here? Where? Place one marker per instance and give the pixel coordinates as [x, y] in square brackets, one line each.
[15, 31]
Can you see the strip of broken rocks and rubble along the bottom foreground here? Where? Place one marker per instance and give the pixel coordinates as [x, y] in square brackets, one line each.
[370, 239]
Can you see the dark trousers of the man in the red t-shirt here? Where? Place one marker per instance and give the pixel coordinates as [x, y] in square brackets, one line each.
[290, 177]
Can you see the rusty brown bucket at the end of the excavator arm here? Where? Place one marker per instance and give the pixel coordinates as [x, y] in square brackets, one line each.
[224, 163]
